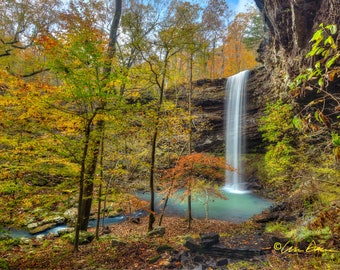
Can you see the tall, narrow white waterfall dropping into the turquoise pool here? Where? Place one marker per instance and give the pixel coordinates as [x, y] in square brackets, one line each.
[235, 106]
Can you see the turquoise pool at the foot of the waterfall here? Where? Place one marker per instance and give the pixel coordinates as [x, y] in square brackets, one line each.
[236, 208]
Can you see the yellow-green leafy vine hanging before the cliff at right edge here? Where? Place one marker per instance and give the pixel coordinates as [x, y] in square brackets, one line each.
[322, 112]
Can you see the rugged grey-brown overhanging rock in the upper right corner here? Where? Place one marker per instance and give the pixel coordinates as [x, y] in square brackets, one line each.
[290, 25]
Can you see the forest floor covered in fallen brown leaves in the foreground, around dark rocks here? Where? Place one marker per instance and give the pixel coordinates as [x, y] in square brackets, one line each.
[140, 251]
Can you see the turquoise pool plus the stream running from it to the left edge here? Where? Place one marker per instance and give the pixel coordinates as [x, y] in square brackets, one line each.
[236, 208]
